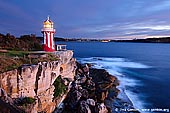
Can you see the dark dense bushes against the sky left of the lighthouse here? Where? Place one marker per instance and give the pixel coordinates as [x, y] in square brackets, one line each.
[24, 43]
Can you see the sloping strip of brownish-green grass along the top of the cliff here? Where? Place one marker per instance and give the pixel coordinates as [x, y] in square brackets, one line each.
[13, 59]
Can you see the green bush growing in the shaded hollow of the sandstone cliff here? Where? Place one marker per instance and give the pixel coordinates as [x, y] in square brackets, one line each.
[60, 88]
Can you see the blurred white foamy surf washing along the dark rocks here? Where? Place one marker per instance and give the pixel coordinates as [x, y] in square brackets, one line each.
[115, 66]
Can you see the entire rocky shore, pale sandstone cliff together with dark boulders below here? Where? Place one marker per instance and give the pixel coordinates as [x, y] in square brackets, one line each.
[63, 86]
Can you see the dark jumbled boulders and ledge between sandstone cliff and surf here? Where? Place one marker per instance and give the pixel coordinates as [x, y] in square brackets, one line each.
[93, 91]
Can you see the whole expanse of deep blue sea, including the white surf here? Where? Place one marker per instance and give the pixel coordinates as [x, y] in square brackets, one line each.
[143, 68]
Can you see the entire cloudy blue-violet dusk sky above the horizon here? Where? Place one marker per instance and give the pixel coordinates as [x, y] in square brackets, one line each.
[99, 19]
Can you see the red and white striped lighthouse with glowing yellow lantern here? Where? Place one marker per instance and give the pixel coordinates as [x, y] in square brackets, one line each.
[48, 34]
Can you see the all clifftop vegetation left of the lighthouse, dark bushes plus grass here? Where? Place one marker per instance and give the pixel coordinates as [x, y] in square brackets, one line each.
[15, 52]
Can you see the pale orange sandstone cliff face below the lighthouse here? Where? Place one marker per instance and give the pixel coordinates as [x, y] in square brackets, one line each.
[36, 81]
